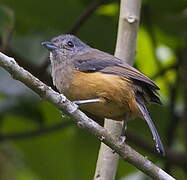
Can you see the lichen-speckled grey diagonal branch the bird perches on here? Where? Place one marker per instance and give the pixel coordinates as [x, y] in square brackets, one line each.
[62, 103]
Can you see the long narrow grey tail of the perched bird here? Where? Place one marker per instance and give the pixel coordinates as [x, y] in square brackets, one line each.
[156, 137]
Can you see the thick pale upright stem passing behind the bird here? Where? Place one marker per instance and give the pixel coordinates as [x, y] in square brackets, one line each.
[125, 49]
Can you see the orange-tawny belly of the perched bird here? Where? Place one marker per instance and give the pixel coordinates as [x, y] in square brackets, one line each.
[115, 93]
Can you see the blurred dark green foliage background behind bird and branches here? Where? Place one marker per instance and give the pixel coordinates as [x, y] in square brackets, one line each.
[36, 141]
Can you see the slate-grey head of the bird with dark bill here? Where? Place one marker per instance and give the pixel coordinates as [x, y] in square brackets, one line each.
[66, 45]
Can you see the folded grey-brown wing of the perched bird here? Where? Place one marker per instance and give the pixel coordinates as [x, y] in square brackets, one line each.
[109, 64]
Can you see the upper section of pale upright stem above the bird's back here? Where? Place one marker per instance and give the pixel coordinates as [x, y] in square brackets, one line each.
[127, 30]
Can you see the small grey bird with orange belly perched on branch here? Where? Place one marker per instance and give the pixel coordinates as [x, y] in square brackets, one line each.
[101, 84]
